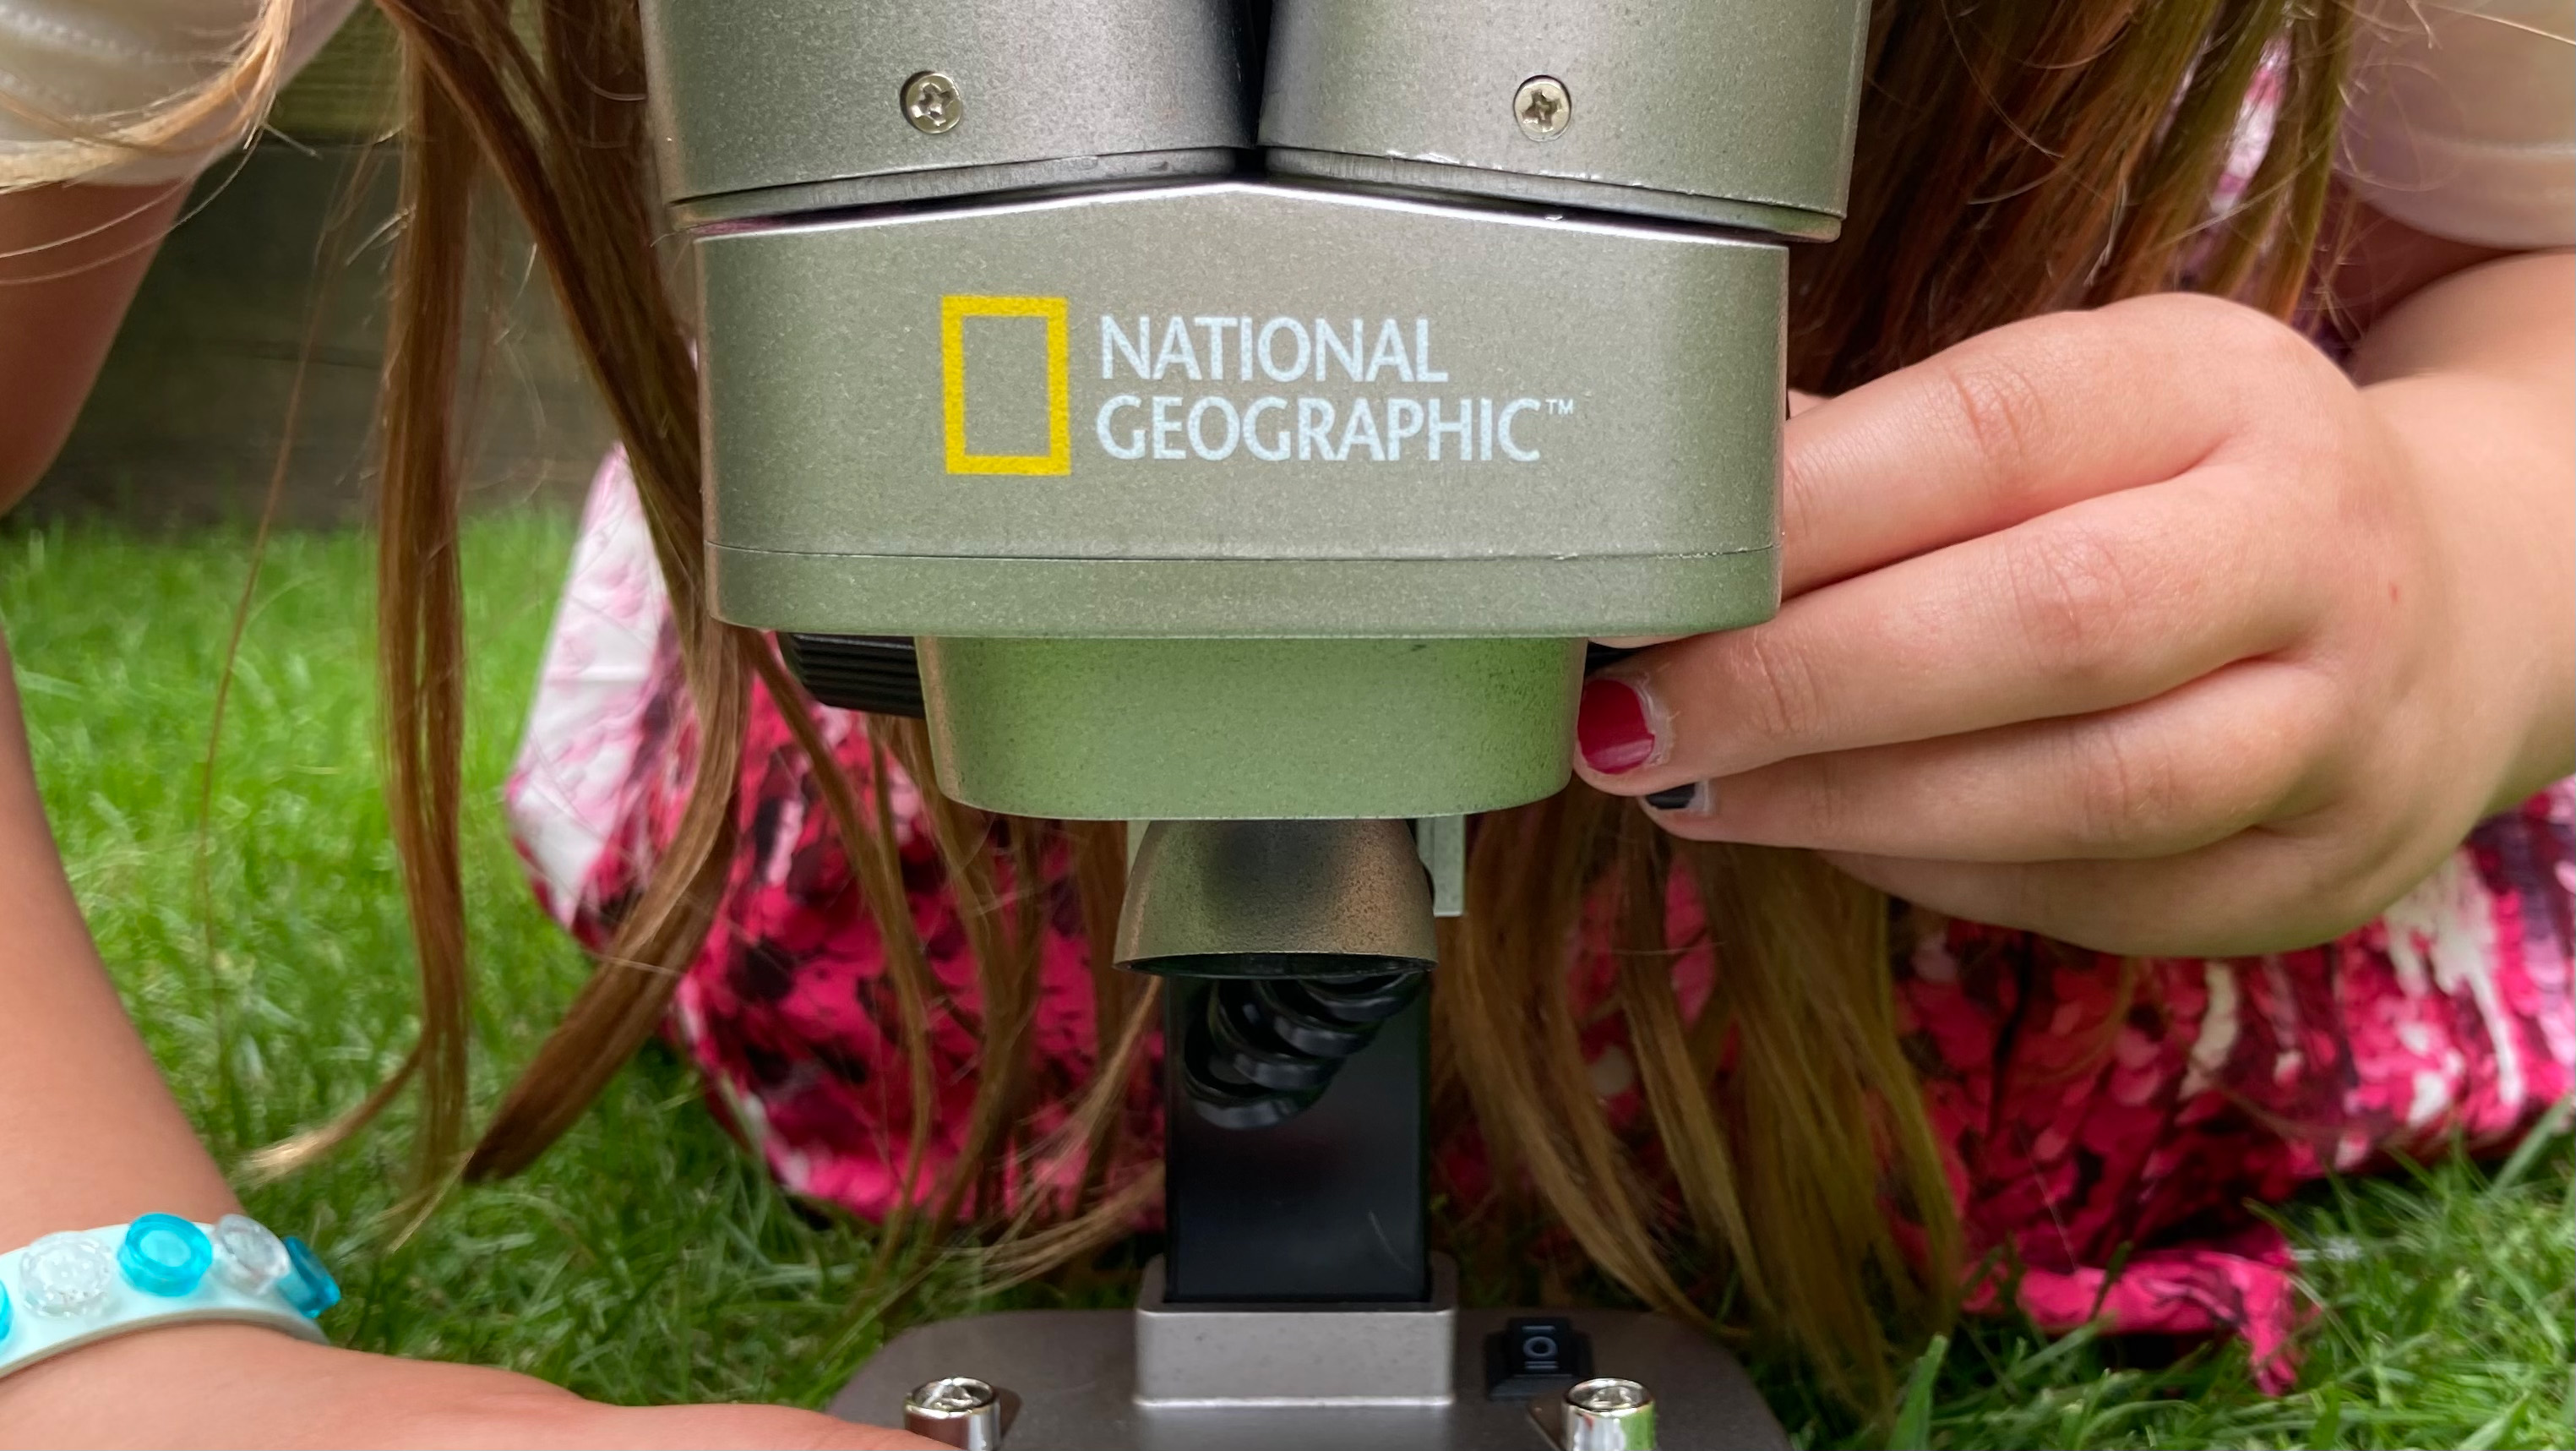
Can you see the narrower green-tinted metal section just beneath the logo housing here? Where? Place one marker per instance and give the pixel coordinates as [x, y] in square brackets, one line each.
[1251, 728]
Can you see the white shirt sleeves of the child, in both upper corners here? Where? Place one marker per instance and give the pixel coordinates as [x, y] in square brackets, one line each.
[2464, 115]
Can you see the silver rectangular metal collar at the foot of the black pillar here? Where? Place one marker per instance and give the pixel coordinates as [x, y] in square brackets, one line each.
[1310, 1354]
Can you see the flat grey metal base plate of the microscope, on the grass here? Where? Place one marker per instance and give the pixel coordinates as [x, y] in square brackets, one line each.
[1075, 1375]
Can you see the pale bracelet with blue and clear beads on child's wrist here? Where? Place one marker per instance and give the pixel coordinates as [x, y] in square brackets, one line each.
[161, 1269]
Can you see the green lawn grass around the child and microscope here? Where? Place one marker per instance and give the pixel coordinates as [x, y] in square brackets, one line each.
[648, 1259]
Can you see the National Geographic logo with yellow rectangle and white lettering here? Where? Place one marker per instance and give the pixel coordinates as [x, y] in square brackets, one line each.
[1009, 393]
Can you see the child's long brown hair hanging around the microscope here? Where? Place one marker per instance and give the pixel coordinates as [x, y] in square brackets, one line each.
[2016, 159]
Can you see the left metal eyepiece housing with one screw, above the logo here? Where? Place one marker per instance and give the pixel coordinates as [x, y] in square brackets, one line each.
[761, 94]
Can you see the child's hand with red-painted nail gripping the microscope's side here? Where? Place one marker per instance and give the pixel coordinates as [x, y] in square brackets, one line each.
[2137, 628]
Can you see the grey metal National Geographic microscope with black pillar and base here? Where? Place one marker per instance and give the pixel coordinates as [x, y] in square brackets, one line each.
[1235, 419]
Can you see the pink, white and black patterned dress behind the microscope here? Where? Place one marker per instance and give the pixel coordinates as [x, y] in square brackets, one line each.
[2451, 1019]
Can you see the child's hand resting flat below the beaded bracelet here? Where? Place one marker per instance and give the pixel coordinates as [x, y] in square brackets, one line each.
[238, 1385]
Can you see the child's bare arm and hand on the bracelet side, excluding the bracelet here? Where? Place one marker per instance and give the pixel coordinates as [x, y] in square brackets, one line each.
[89, 1133]
